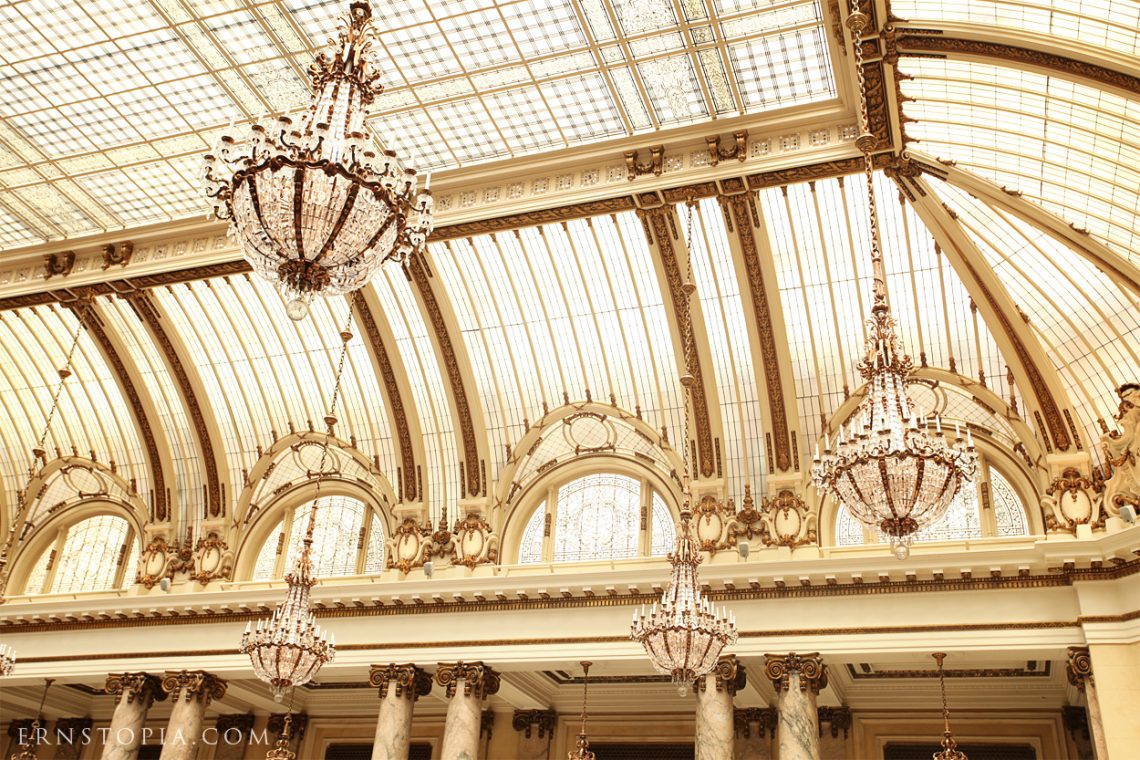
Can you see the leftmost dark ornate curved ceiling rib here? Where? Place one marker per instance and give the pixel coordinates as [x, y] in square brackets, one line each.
[151, 432]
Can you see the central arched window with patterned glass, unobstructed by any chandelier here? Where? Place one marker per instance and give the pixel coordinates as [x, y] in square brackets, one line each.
[598, 518]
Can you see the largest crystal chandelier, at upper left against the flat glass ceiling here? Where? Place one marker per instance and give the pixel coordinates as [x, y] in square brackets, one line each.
[314, 208]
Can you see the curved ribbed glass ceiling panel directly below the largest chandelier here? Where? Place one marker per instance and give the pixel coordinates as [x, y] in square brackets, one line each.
[263, 372]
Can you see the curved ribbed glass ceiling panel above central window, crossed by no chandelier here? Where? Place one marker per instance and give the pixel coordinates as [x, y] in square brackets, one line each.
[557, 313]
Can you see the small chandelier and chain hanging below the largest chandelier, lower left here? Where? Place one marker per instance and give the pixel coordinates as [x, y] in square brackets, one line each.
[290, 648]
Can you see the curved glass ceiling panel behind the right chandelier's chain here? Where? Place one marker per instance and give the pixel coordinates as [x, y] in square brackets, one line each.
[819, 233]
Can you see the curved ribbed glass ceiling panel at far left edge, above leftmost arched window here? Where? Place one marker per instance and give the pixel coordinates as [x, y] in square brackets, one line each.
[93, 414]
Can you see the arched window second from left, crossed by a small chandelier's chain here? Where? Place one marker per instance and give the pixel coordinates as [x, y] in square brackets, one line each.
[347, 541]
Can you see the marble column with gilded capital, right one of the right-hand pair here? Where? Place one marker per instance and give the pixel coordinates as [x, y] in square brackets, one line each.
[797, 681]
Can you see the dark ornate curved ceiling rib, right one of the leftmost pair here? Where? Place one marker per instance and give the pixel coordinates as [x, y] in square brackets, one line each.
[206, 429]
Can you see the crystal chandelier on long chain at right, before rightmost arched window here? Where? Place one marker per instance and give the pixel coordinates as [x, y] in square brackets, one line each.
[891, 468]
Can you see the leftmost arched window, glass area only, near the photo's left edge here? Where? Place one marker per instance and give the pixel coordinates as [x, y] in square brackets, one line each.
[96, 554]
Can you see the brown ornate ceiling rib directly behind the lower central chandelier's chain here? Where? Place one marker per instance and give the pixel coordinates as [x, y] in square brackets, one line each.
[661, 224]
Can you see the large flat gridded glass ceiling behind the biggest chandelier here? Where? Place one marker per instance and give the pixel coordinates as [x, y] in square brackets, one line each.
[107, 109]
